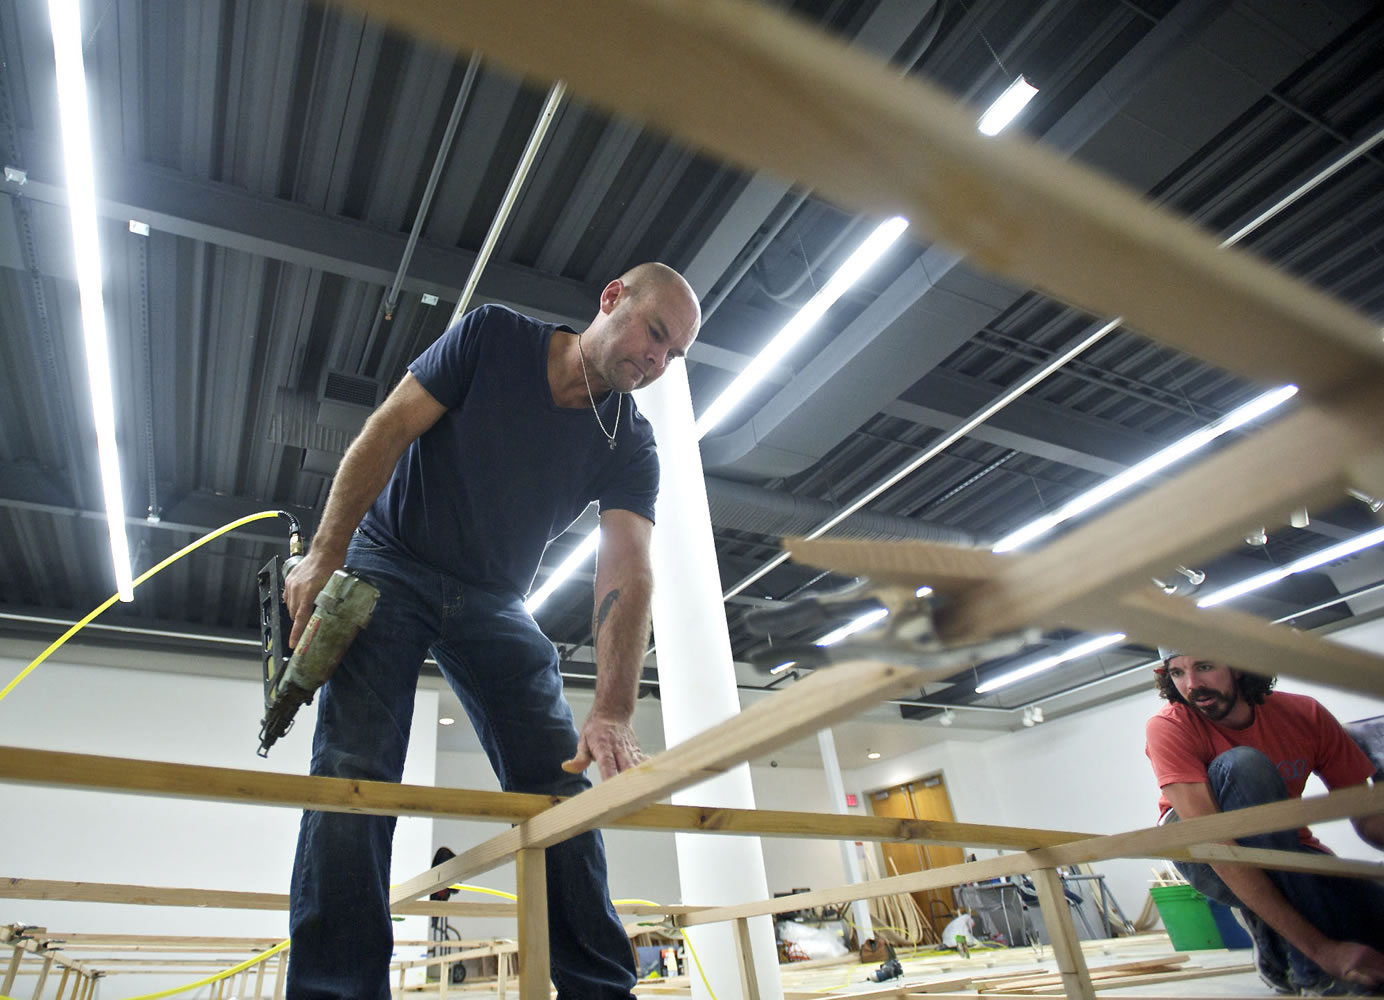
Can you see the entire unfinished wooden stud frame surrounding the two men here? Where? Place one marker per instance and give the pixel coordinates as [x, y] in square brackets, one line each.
[842, 122]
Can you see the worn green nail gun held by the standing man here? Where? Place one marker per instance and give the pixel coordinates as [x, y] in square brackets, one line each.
[343, 609]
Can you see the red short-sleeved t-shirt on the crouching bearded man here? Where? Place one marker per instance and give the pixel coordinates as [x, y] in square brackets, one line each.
[1293, 731]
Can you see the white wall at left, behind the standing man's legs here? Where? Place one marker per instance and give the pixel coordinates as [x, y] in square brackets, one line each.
[143, 840]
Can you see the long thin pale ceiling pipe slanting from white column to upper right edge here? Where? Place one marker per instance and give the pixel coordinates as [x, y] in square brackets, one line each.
[1079, 346]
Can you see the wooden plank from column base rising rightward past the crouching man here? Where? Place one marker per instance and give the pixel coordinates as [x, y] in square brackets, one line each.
[1148, 843]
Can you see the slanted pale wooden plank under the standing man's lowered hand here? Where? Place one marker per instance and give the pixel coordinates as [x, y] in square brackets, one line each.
[806, 707]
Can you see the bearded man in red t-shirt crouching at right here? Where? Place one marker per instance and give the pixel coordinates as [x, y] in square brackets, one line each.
[1227, 741]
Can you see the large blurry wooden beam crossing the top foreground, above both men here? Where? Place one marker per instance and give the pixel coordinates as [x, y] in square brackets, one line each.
[761, 89]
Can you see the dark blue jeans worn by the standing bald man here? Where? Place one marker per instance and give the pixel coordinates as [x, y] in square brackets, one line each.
[506, 673]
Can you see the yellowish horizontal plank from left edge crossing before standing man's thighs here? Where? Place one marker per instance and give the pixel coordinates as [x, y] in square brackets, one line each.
[384, 799]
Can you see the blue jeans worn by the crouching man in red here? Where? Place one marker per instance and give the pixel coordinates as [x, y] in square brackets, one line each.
[1343, 909]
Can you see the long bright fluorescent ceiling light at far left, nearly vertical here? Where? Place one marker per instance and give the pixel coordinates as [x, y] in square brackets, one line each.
[77, 150]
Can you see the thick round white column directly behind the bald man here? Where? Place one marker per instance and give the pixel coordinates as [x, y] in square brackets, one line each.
[697, 684]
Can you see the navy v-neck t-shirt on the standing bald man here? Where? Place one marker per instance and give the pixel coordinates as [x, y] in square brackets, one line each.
[506, 470]
